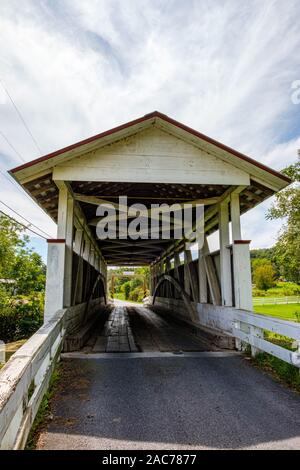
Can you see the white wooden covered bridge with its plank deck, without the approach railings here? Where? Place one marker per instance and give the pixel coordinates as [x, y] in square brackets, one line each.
[195, 291]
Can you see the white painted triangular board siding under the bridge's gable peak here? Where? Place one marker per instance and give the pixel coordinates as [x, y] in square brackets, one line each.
[151, 156]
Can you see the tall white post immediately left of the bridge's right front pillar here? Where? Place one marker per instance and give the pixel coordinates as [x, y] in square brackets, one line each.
[225, 261]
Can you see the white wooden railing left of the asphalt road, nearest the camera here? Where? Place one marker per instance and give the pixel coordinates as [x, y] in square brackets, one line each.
[25, 379]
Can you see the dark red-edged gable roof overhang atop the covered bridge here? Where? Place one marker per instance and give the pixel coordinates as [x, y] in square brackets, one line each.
[139, 124]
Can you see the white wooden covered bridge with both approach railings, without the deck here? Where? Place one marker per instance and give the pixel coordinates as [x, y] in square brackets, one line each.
[153, 159]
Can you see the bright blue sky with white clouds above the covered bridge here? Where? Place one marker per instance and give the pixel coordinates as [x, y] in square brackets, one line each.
[76, 68]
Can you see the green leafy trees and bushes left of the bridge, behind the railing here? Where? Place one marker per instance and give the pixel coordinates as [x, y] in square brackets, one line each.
[21, 303]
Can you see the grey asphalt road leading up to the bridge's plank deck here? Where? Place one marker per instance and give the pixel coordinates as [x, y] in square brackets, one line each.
[203, 402]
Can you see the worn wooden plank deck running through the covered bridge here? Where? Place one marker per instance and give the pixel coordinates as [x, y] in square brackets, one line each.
[133, 328]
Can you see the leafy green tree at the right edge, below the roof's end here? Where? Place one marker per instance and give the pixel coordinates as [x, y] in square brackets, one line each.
[287, 206]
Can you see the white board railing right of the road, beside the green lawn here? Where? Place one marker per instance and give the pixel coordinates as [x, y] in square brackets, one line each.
[249, 328]
